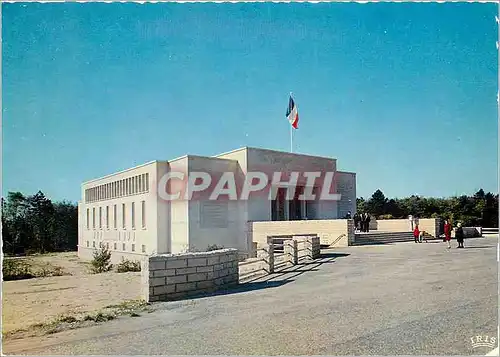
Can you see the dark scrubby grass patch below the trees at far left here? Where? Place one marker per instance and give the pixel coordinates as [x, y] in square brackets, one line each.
[22, 268]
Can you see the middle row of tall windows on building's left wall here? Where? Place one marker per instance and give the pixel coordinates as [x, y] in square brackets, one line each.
[104, 220]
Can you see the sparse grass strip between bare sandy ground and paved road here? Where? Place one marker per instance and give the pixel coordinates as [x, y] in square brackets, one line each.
[67, 322]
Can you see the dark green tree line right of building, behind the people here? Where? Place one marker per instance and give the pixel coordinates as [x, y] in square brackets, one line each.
[480, 209]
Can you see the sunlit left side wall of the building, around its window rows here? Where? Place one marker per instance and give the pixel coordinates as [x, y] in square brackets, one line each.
[122, 240]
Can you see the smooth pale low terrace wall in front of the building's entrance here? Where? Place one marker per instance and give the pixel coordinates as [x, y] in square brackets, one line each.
[339, 231]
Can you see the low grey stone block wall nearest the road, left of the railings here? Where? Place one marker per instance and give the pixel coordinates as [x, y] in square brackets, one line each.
[172, 277]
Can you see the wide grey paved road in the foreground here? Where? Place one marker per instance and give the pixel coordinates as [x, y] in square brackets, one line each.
[396, 299]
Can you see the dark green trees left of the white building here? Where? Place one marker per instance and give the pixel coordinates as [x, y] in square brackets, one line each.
[35, 224]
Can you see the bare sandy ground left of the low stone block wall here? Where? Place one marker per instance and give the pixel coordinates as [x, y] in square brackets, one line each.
[36, 303]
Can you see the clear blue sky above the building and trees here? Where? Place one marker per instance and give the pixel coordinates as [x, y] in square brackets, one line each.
[402, 94]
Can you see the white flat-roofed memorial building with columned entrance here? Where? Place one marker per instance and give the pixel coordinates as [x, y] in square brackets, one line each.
[127, 212]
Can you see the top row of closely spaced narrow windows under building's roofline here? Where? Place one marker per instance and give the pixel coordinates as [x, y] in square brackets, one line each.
[120, 188]
